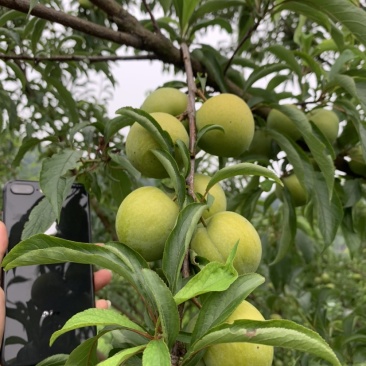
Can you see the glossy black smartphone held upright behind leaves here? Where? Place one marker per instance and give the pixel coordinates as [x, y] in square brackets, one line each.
[41, 298]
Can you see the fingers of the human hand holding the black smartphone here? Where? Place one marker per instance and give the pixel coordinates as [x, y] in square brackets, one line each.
[101, 279]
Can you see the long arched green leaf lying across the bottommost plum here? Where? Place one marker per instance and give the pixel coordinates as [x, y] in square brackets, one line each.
[278, 333]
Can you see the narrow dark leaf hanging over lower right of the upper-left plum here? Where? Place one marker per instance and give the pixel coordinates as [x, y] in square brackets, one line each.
[177, 179]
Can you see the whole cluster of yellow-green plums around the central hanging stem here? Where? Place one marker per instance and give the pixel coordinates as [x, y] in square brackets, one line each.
[147, 215]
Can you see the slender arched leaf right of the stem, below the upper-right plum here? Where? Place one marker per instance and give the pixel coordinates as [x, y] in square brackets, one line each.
[241, 169]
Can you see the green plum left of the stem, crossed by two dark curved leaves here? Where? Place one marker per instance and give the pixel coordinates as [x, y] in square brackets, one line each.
[140, 142]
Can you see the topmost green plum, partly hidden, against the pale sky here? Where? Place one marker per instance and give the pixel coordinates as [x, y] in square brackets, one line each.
[167, 100]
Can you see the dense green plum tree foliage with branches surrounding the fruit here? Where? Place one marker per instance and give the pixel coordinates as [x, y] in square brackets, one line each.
[55, 127]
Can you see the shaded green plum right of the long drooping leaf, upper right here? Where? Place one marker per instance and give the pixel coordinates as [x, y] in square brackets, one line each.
[327, 122]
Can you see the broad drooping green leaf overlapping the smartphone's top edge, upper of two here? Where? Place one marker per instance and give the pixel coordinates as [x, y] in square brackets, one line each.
[53, 182]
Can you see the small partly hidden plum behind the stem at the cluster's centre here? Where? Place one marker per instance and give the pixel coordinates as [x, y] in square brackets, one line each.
[219, 204]
